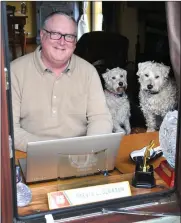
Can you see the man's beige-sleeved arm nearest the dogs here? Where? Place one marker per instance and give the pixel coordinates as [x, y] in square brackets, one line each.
[99, 117]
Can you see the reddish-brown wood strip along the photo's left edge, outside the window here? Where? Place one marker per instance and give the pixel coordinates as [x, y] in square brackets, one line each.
[6, 185]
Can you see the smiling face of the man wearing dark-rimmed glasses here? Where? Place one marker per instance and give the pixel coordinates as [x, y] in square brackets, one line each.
[58, 51]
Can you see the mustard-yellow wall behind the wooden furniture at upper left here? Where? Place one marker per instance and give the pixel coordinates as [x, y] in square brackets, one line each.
[30, 26]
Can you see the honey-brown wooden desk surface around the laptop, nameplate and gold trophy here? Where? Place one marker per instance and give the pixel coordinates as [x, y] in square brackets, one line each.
[123, 164]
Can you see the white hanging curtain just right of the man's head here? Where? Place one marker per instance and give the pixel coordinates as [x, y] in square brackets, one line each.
[83, 25]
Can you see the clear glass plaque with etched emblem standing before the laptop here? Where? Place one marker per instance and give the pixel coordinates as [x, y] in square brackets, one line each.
[72, 165]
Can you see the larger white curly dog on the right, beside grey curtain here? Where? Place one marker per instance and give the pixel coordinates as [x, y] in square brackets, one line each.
[158, 93]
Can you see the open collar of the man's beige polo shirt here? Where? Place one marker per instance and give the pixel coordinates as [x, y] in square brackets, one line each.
[42, 68]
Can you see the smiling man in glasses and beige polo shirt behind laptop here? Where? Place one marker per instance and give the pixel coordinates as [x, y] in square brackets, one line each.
[56, 94]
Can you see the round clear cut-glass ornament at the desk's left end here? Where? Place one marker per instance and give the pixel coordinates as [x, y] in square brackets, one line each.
[24, 195]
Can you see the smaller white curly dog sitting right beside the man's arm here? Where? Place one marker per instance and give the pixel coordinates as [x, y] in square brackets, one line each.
[117, 100]
